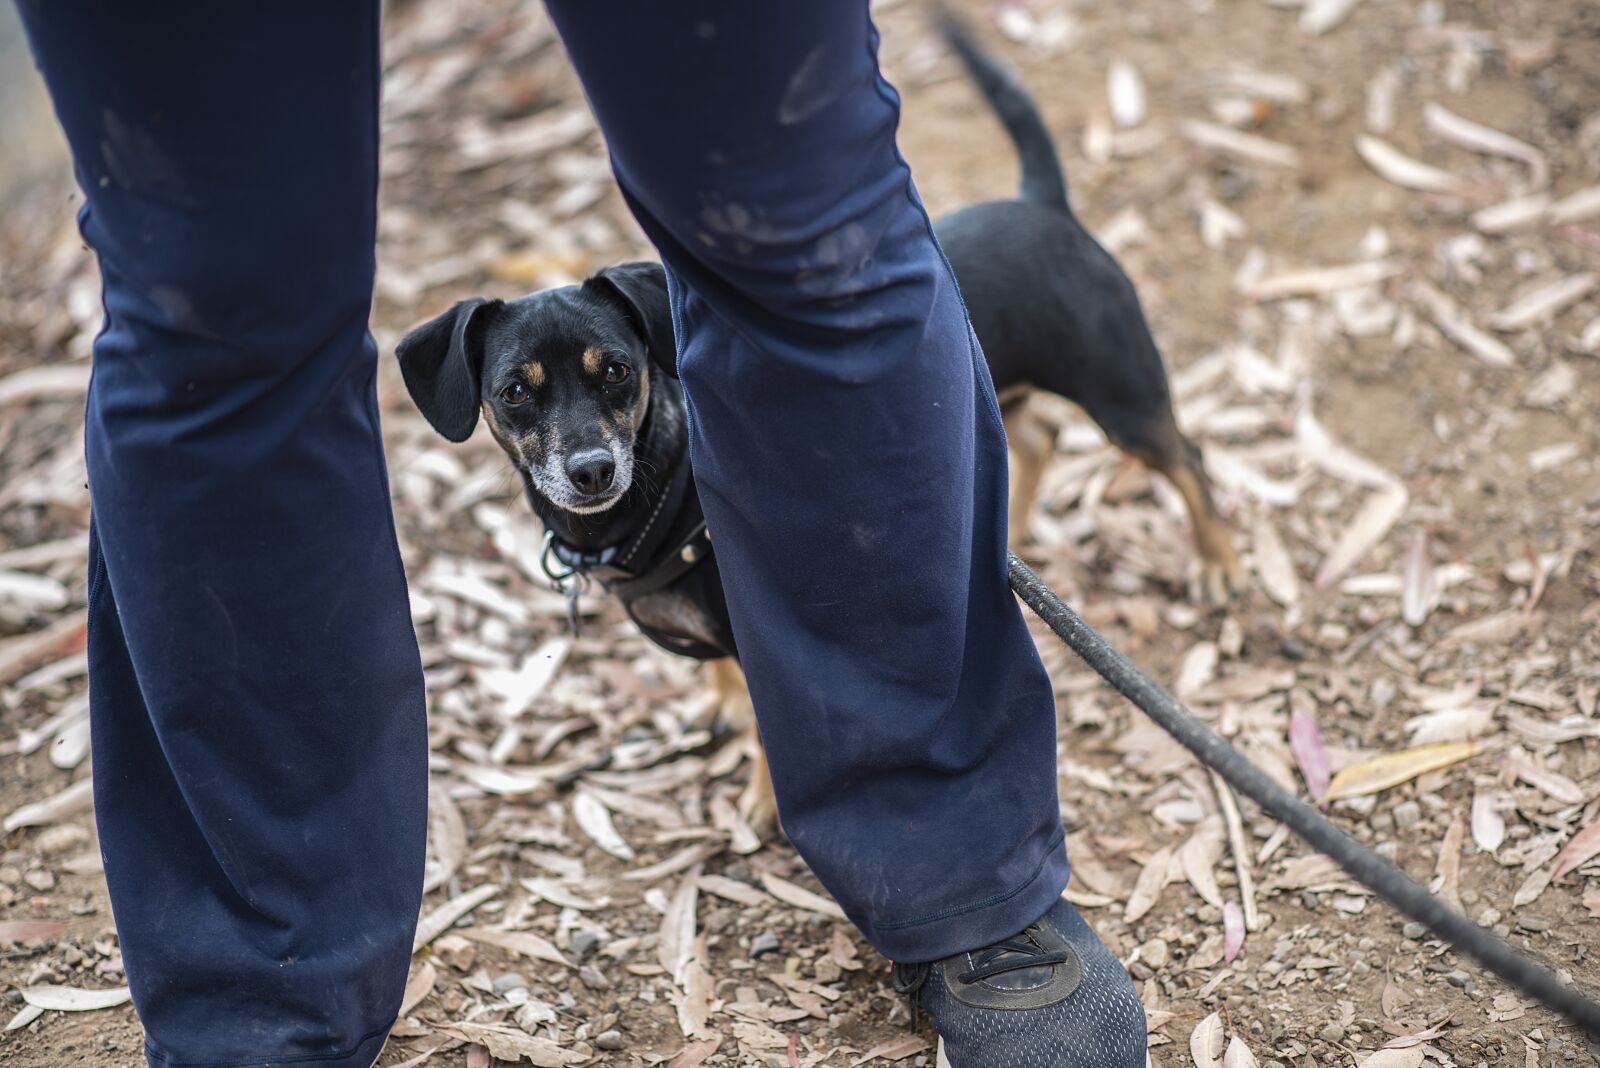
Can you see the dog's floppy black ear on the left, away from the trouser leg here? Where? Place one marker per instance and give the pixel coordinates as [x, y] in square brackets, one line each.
[442, 362]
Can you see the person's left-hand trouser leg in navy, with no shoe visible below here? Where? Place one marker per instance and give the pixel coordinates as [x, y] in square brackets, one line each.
[257, 698]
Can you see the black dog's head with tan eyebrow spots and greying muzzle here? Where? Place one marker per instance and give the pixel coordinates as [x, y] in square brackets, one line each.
[562, 378]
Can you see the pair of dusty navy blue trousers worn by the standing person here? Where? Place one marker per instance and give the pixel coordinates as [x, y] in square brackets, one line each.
[260, 751]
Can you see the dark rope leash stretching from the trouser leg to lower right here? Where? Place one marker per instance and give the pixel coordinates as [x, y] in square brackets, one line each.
[1361, 863]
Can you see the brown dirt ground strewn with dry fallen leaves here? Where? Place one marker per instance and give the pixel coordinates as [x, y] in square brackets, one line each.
[1407, 450]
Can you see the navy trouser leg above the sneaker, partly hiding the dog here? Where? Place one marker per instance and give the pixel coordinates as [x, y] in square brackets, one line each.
[849, 455]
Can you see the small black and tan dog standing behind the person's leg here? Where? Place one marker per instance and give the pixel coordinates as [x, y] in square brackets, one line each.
[578, 386]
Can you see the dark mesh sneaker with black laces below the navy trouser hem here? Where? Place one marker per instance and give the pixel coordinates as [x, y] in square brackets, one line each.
[1052, 997]
